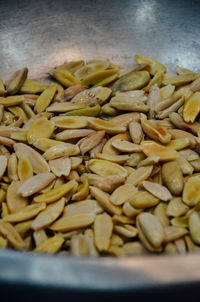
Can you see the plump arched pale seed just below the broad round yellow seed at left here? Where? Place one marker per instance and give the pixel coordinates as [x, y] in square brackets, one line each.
[61, 150]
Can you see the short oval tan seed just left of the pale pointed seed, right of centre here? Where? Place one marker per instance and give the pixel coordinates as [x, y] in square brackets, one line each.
[123, 194]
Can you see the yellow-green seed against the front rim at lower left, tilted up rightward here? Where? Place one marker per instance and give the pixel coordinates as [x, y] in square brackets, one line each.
[52, 245]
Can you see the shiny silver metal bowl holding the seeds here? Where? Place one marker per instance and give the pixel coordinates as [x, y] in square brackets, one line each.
[42, 34]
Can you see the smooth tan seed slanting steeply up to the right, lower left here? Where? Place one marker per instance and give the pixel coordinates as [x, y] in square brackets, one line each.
[48, 215]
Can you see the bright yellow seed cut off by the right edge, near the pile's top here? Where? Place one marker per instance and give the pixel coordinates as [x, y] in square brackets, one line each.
[191, 108]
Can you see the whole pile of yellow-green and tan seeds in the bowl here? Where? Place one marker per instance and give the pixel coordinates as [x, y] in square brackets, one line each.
[102, 161]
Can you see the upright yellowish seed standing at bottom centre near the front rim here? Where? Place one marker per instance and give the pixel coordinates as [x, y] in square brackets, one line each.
[103, 227]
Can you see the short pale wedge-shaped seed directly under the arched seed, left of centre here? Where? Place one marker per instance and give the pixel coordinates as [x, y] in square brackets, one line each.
[61, 166]
